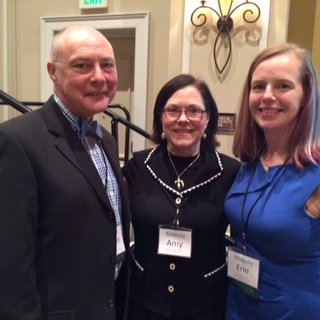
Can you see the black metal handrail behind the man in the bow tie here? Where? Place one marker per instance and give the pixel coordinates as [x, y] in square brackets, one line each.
[23, 108]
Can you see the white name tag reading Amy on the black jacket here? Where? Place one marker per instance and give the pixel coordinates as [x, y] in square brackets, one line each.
[175, 241]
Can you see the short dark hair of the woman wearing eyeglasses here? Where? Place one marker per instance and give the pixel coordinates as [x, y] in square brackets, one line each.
[175, 84]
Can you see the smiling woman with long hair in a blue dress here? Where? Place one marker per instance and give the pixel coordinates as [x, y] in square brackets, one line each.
[274, 204]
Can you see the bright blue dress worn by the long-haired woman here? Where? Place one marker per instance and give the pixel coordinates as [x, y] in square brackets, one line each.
[283, 237]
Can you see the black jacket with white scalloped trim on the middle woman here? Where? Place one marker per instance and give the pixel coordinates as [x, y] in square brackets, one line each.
[170, 285]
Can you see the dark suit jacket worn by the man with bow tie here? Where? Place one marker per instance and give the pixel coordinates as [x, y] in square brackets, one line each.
[57, 227]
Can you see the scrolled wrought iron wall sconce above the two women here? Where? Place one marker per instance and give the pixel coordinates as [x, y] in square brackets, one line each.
[224, 24]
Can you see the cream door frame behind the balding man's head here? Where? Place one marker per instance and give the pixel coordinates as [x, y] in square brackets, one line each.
[139, 23]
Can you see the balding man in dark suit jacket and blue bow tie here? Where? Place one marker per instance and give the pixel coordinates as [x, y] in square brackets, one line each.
[64, 218]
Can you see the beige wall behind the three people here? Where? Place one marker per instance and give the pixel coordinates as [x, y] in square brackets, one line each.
[165, 48]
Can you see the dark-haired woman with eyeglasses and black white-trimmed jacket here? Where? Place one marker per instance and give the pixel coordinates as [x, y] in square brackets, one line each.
[177, 193]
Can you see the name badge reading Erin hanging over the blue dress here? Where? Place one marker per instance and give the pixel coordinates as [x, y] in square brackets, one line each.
[244, 270]
